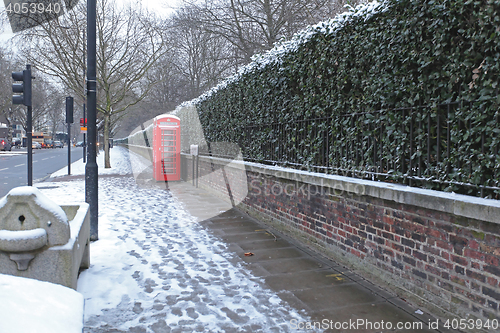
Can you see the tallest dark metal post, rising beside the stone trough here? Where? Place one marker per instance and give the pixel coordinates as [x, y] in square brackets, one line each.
[91, 176]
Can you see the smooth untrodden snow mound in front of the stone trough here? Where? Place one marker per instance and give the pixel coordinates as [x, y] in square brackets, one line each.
[35, 306]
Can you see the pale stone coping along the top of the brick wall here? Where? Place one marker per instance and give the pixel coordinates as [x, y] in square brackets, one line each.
[457, 204]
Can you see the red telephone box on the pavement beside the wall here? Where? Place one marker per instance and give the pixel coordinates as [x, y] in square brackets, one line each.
[167, 148]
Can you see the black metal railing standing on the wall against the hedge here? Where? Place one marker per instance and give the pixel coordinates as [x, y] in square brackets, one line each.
[447, 147]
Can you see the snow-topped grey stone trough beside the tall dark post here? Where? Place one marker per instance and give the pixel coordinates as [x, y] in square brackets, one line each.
[42, 240]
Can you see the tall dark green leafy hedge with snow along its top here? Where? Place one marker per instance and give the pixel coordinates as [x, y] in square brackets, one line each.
[395, 54]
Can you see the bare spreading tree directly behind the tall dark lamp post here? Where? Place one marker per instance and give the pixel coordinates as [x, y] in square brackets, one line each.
[129, 42]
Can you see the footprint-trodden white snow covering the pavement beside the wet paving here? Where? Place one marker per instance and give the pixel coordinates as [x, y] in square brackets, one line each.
[154, 268]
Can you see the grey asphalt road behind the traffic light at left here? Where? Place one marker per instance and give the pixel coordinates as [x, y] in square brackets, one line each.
[14, 169]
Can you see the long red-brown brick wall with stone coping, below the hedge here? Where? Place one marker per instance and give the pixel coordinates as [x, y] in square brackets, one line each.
[440, 250]
